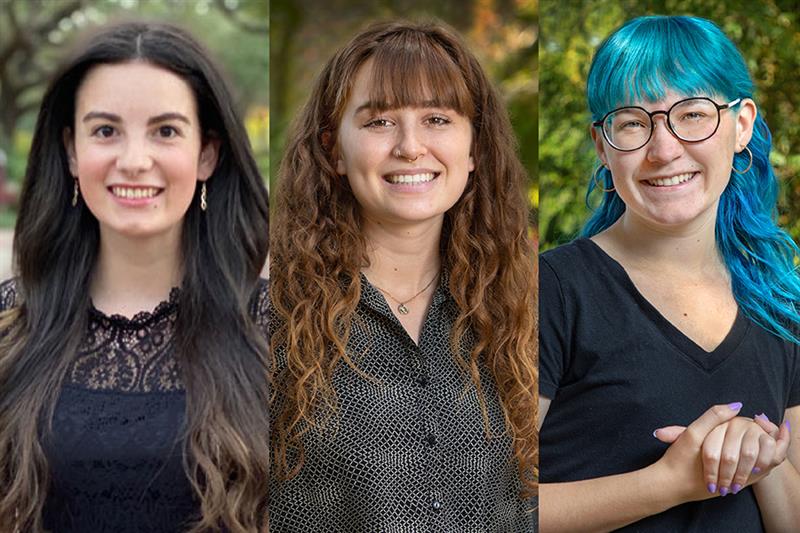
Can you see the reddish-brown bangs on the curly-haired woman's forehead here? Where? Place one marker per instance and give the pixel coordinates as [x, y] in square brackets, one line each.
[412, 70]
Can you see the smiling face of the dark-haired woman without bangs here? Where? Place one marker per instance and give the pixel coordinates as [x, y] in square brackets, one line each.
[136, 149]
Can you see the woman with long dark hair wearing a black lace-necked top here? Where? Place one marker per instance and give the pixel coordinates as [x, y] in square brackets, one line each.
[133, 392]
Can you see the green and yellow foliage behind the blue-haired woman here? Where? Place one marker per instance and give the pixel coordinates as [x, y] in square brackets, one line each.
[768, 34]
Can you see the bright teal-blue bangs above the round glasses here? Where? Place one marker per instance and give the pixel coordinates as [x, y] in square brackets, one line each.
[651, 55]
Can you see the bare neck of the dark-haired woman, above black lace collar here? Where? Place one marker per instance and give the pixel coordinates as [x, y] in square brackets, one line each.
[133, 275]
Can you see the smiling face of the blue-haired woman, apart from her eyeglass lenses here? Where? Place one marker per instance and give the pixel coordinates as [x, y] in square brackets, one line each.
[670, 183]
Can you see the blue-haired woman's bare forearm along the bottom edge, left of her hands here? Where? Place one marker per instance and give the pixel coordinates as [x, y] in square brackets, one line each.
[603, 504]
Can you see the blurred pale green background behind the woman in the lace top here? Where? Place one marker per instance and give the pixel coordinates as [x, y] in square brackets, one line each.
[35, 35]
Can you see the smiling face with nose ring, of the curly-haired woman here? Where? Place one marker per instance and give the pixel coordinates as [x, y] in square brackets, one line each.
[404, 165]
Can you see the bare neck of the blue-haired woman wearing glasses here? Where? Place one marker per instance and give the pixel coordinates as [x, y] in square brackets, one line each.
[688, 248]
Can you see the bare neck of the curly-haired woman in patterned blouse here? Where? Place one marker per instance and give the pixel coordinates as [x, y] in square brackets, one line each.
[403, 259]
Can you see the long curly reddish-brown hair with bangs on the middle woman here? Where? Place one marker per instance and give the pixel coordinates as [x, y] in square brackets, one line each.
[318, 248]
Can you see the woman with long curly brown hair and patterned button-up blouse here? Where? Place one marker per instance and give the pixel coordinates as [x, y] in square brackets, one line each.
[403, 286]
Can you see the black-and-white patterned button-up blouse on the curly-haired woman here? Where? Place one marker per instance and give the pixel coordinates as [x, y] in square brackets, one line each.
[407, 451]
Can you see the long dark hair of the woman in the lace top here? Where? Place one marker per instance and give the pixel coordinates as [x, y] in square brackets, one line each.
[221, 353]
